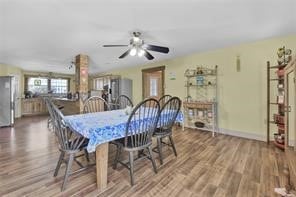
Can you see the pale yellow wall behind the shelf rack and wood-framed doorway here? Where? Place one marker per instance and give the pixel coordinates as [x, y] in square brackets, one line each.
[241, 95]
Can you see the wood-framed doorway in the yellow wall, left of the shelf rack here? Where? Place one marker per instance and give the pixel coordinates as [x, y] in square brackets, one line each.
[153, 82]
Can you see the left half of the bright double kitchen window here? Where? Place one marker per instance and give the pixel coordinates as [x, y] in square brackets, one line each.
[38, 85]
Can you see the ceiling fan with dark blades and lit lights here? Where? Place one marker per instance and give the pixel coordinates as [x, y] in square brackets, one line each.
[138, 47]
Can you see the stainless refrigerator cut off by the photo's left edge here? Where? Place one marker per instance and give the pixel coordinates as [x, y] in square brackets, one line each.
[6, 101]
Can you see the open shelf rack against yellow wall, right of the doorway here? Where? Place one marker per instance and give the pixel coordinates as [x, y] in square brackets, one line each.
[200, 105]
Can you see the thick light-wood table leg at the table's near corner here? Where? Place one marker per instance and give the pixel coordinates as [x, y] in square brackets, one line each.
[102, 166]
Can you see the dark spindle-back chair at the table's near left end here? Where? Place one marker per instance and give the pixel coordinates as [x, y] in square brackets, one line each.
[70, 144]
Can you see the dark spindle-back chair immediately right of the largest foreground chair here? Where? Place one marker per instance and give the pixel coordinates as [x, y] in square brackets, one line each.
[167, 118]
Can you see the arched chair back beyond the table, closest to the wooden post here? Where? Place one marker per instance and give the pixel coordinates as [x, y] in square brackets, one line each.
[95, 104]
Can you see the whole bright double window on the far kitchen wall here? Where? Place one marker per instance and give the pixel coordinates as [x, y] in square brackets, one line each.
[42, 85]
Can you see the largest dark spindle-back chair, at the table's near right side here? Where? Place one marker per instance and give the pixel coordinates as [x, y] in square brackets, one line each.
[138, 135]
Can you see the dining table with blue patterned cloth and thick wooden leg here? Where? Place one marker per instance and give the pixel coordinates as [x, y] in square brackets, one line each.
[101, 128]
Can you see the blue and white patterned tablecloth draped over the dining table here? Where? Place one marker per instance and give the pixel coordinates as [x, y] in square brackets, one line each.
[101, 127]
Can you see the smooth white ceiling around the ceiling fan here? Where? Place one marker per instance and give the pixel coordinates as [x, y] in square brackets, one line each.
[45, 35]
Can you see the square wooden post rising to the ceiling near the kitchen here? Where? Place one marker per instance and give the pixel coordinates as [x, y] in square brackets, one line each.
[81, 76]
